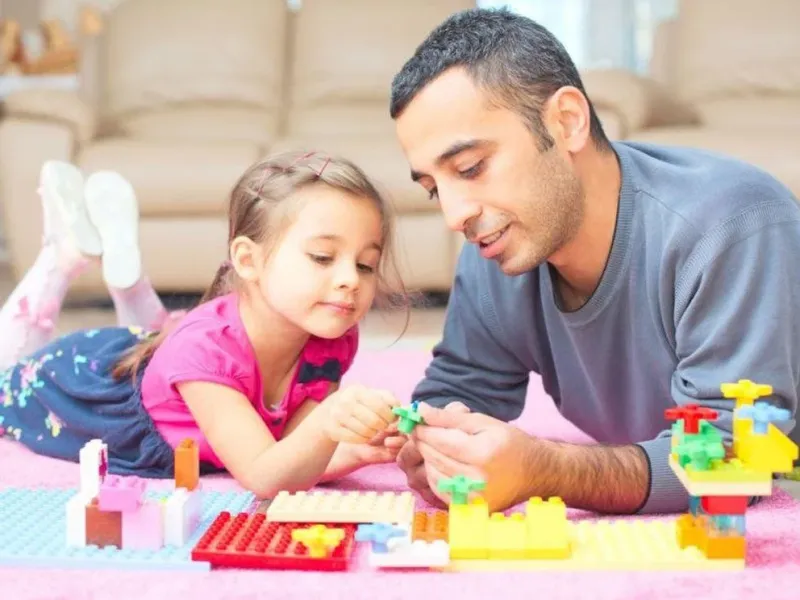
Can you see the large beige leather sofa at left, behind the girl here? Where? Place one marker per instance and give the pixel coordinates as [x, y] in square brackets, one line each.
[181, 96]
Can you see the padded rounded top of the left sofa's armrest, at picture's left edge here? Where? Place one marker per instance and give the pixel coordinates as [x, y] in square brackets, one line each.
[63, 107]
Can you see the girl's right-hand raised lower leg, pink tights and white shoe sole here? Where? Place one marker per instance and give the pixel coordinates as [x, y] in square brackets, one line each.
[113, 208]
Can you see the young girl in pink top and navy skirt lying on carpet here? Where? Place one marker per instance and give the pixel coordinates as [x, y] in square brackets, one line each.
[246, 372]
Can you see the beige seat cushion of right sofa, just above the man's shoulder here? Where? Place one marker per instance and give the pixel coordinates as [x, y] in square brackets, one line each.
[772, 151]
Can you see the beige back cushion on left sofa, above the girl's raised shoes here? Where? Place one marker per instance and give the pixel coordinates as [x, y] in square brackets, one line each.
[159, 53]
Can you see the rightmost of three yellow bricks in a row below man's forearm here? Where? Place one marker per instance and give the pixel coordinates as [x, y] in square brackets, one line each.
[548, 528]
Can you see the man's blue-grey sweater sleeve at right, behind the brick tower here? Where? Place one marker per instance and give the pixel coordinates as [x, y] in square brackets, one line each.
[736, 317]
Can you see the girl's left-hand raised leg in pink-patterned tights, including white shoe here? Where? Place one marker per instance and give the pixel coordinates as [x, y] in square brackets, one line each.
[28, 318]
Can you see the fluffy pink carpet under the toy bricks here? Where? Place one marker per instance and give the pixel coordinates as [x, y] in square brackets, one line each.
[773, 529]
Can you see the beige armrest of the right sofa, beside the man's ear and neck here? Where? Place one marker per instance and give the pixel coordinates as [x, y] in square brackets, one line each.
[640, 102]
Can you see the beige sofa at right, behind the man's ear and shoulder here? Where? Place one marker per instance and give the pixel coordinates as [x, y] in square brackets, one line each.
[725, 76]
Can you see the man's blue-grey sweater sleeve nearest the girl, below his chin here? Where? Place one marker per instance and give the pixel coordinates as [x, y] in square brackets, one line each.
[469, 364]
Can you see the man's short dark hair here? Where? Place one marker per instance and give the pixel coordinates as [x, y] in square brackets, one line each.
[519, 63]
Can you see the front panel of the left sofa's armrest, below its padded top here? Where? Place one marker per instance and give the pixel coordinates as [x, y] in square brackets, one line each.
[24, 146]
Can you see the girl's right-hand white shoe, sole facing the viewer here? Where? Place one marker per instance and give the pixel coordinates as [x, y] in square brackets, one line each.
[114, 210]
